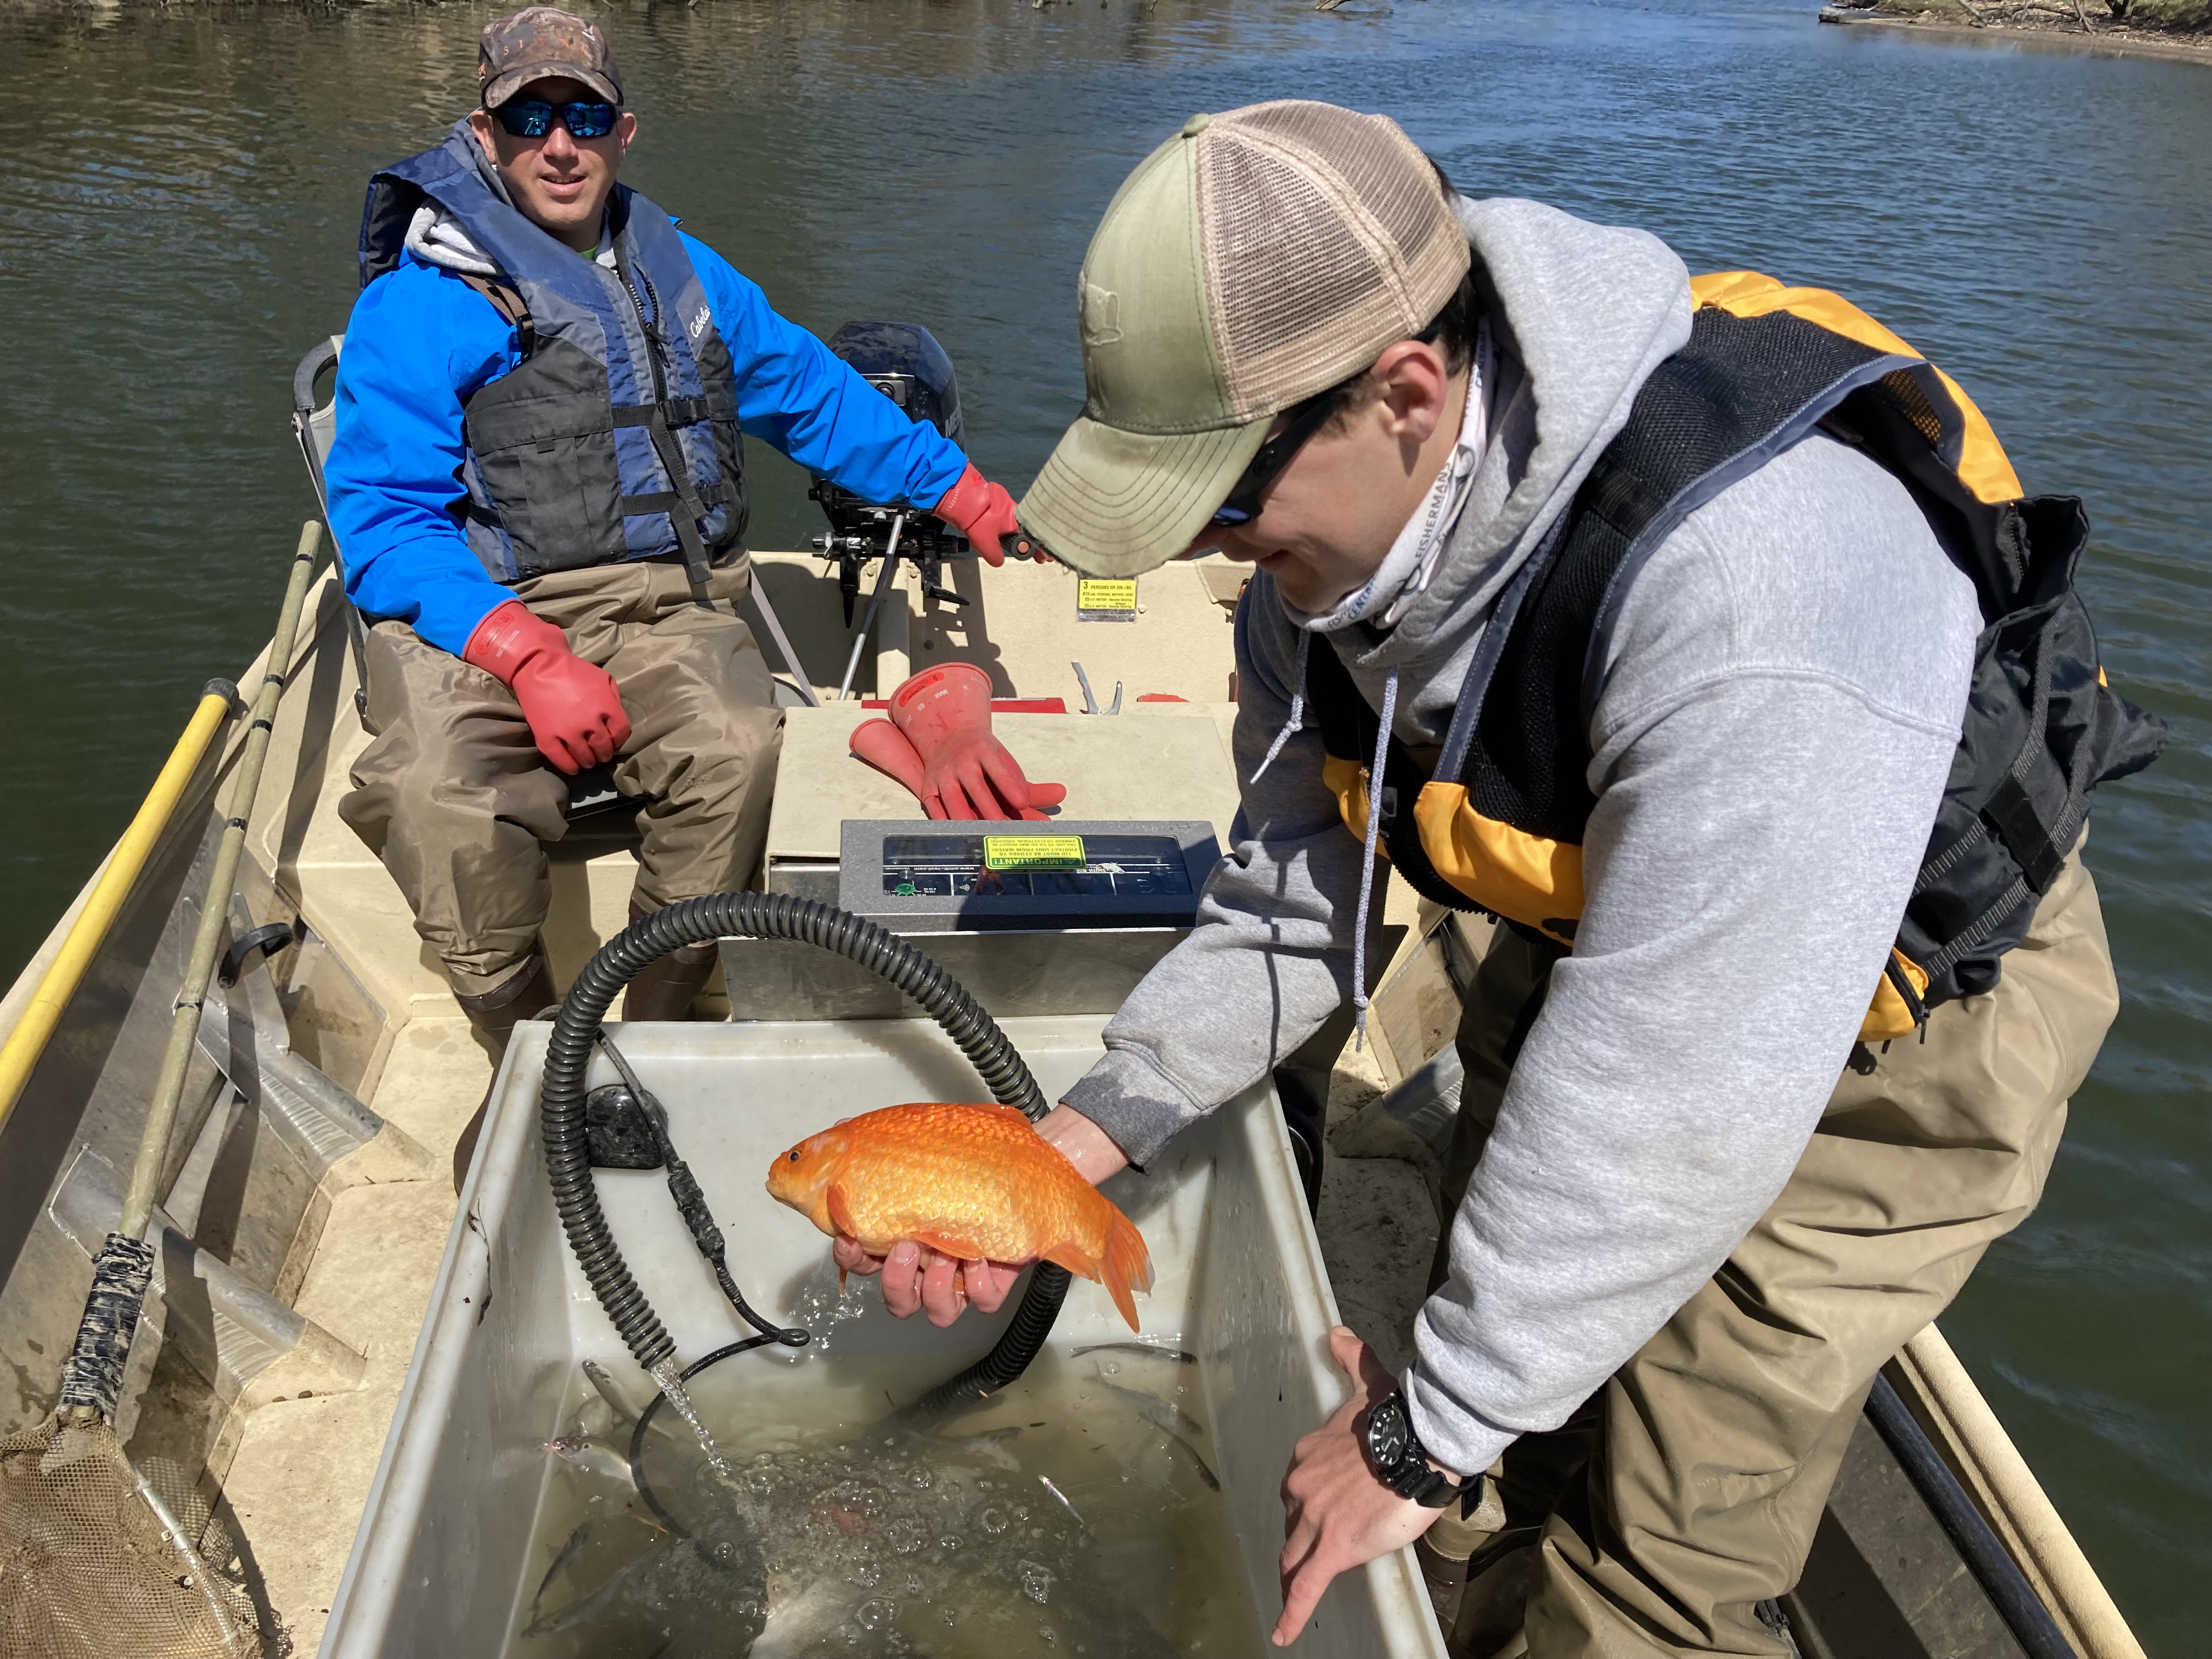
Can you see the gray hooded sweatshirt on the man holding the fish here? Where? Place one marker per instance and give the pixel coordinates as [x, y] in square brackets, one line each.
[1782, 696]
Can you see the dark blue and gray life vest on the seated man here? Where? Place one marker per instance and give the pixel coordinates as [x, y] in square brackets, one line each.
[616, 437]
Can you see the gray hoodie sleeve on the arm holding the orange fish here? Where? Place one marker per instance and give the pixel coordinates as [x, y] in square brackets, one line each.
[1271, 957]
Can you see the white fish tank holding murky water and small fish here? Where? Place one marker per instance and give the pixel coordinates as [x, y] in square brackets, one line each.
[1120, 1499]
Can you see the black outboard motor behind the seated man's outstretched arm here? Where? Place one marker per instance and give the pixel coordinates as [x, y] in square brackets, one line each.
[908, 366]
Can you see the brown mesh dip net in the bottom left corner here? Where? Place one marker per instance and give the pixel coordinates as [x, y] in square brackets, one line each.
[98, 1565]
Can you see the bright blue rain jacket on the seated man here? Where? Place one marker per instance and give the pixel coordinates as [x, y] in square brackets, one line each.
[421, 342]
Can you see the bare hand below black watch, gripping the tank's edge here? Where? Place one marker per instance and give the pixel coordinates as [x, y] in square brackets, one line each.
[1335, 1512]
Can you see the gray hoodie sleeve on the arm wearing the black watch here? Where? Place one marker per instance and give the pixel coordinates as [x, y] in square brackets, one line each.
[1768, 760]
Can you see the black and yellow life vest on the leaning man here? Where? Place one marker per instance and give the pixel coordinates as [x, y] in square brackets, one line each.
[1496, 824]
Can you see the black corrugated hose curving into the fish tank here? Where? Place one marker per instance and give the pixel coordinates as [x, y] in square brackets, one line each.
[696, 921]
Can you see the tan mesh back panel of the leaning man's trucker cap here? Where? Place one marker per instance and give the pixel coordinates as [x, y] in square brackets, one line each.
[1326, 238]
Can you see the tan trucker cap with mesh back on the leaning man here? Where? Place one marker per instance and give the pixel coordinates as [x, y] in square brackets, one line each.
[1251, 262]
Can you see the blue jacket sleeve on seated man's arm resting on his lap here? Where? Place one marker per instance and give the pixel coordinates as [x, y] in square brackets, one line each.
[417, 346]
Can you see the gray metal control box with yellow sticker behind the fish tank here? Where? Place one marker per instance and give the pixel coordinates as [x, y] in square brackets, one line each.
[1027, 930]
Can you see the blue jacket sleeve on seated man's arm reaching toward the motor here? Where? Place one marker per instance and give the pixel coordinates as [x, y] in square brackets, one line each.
[811, 406]
